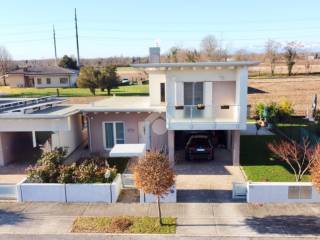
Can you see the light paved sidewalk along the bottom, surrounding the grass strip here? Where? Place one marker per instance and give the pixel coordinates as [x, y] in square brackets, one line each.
[194, 219]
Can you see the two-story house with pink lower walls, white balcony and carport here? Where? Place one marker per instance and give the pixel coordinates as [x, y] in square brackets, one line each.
[185, 99]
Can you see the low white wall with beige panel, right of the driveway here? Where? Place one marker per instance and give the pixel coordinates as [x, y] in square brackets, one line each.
[282, 192]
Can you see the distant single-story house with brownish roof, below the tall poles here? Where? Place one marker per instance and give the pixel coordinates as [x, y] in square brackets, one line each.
[42, 77]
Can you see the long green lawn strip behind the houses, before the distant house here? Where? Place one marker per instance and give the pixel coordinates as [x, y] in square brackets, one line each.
[134, 90]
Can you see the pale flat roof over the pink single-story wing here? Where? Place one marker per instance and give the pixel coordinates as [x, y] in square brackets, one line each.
[123, 104]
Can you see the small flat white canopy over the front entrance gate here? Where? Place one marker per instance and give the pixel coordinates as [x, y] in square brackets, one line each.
[128, 150]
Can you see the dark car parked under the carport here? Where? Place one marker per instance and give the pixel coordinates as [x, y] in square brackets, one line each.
[199, 147]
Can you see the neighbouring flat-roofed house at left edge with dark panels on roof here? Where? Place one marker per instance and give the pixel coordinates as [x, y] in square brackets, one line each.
[31, 124]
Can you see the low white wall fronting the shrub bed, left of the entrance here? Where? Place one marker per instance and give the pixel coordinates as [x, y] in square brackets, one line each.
[55, 192]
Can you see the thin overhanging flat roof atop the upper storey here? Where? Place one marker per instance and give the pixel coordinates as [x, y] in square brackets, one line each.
[197, 64]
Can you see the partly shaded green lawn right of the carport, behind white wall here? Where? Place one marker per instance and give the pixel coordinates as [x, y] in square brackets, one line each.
[258, 162]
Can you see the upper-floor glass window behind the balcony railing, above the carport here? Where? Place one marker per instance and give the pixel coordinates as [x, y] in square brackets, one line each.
[193, 93]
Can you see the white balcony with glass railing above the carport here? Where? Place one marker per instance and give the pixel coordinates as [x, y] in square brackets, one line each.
[210, 117]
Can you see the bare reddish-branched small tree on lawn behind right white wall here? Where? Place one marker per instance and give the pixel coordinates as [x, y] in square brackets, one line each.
[298, 157]
